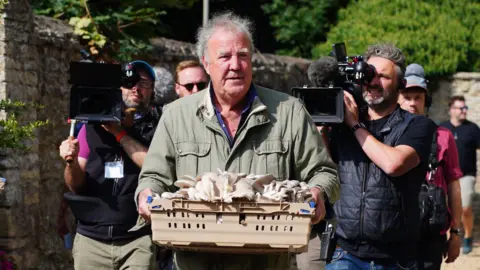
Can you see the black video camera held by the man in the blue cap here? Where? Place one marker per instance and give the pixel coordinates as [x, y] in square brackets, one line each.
[95, 94]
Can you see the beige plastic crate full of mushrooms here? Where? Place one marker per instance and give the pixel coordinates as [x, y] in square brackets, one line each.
[238, 227]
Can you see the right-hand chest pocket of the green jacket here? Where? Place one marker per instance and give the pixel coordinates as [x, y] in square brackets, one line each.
[271, 158]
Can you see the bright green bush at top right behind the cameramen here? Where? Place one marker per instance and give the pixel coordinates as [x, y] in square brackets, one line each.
[440, 35]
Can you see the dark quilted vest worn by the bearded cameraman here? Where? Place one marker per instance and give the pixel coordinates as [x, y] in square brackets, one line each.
[378, 215]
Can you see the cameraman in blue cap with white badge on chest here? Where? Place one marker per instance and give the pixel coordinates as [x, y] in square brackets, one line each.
[106, 163]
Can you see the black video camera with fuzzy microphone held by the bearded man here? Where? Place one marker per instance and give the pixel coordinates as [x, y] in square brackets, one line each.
[330, 76]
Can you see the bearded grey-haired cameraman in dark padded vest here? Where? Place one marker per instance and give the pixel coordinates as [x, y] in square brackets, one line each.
[382, 156]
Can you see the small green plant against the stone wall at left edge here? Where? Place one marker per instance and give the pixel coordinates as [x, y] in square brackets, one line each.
[12, 133]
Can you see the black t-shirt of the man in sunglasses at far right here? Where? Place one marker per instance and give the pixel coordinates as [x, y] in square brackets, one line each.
[467, 138]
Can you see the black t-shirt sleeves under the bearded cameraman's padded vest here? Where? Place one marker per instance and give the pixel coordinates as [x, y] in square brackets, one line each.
[418, 134]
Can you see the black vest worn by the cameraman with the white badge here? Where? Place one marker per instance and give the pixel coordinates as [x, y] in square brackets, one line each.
[105, 209]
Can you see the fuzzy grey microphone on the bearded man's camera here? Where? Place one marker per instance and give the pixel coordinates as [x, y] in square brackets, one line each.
[323, 72]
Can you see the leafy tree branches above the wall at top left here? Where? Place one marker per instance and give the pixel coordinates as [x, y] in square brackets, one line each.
[112, 28]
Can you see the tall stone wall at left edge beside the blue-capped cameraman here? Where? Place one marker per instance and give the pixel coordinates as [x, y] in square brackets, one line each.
[34, 56]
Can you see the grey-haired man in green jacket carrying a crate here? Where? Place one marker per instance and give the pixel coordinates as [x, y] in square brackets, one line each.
[236, 126]
